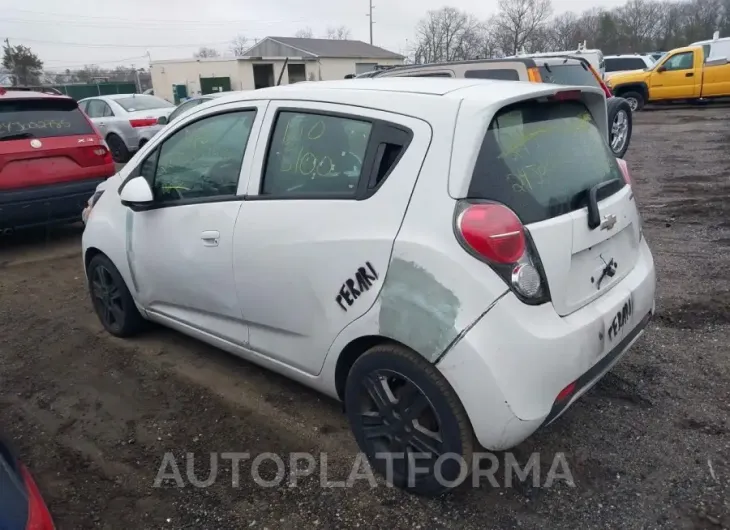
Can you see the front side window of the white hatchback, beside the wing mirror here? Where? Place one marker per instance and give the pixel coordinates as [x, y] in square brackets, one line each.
[201, 160]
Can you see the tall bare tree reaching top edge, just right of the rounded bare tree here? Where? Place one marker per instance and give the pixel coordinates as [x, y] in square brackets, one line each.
[519, 24]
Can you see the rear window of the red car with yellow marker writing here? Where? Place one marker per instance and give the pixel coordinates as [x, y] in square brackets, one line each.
[41, 118]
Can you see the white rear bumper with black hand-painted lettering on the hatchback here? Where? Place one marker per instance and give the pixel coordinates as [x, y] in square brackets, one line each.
[513, 363]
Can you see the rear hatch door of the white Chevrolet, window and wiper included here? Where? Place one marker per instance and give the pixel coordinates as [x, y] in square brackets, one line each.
[542, 158]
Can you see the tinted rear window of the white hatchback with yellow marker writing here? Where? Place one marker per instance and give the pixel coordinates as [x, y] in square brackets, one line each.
[540, 159]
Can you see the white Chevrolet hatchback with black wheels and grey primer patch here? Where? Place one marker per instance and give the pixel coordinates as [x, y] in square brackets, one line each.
[451, 258]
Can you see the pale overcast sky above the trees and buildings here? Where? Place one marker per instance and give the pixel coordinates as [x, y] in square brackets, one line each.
[72, 33]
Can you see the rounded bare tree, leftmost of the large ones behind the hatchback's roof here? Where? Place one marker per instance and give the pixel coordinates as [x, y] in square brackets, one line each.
[447, 34]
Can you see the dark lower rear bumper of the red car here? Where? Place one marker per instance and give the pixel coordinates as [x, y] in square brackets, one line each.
[43, 205]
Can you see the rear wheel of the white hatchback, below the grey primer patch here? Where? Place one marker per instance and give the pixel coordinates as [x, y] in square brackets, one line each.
[414, 410]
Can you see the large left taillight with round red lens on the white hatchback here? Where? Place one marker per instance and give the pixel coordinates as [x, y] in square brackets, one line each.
[494, 234]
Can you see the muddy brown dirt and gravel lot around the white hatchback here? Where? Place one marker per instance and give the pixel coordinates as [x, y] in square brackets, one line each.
[648, 447]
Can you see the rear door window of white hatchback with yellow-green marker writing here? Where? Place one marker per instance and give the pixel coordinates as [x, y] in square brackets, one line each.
[312, 153]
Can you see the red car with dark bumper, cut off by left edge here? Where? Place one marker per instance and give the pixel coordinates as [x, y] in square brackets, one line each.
[51, 159]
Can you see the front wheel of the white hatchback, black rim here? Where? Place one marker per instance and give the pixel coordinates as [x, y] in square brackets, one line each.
[112, 301]
